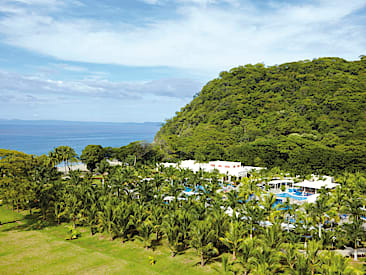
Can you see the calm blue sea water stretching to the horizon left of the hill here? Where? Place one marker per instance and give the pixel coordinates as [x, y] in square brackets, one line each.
[40, 137]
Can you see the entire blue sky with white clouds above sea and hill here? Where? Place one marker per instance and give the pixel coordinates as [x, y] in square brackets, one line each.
[143, 60]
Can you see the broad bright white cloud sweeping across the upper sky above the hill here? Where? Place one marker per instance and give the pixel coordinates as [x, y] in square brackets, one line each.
[211, 38]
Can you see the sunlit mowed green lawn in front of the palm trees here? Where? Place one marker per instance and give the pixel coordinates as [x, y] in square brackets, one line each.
[29, 246]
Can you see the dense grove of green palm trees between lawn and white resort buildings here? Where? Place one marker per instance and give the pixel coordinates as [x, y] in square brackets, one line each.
[127, 204]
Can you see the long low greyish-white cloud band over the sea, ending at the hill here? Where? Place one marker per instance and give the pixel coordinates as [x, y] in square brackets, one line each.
[16, 86]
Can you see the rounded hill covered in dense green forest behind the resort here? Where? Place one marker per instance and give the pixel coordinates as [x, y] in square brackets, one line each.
[306, 116]
